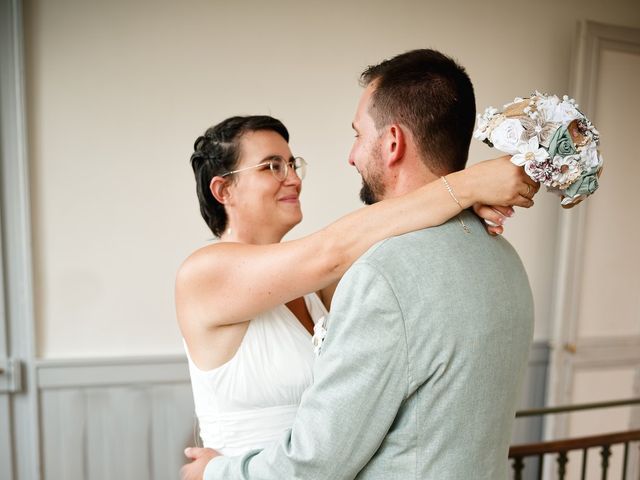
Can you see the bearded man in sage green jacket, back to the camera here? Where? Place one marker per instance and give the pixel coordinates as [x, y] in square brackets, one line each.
[429, 332]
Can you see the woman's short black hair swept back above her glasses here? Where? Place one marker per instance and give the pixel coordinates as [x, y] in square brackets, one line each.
[216, 153]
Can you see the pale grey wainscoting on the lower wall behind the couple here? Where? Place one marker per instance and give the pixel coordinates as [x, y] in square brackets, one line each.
[130, 418]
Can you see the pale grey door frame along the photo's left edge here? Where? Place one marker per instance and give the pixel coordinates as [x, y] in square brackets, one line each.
[17, 315]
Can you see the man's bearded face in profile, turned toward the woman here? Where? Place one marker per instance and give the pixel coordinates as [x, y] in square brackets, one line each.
[366, 152]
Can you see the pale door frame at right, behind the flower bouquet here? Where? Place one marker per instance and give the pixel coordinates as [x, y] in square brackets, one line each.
[568, 352]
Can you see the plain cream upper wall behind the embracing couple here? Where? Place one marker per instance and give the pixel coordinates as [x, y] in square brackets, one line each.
[119, 90]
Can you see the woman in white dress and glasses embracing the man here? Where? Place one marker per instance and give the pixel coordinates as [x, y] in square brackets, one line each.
[247, 306]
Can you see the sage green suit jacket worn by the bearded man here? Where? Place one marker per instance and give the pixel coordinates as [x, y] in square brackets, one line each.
[421, 369]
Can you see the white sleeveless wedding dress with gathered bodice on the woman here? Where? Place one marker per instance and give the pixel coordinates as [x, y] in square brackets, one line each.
[249, 401]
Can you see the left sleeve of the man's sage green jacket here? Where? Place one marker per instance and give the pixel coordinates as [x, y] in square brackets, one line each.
[360, 381]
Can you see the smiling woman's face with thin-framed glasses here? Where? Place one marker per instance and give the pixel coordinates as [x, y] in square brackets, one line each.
[260, 205]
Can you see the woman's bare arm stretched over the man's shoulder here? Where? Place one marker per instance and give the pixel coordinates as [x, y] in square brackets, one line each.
[229, 283]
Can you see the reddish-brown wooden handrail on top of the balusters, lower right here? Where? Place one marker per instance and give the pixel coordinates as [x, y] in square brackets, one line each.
[580, 443]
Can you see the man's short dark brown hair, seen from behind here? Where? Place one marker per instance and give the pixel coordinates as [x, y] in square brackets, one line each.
[432, 96]
